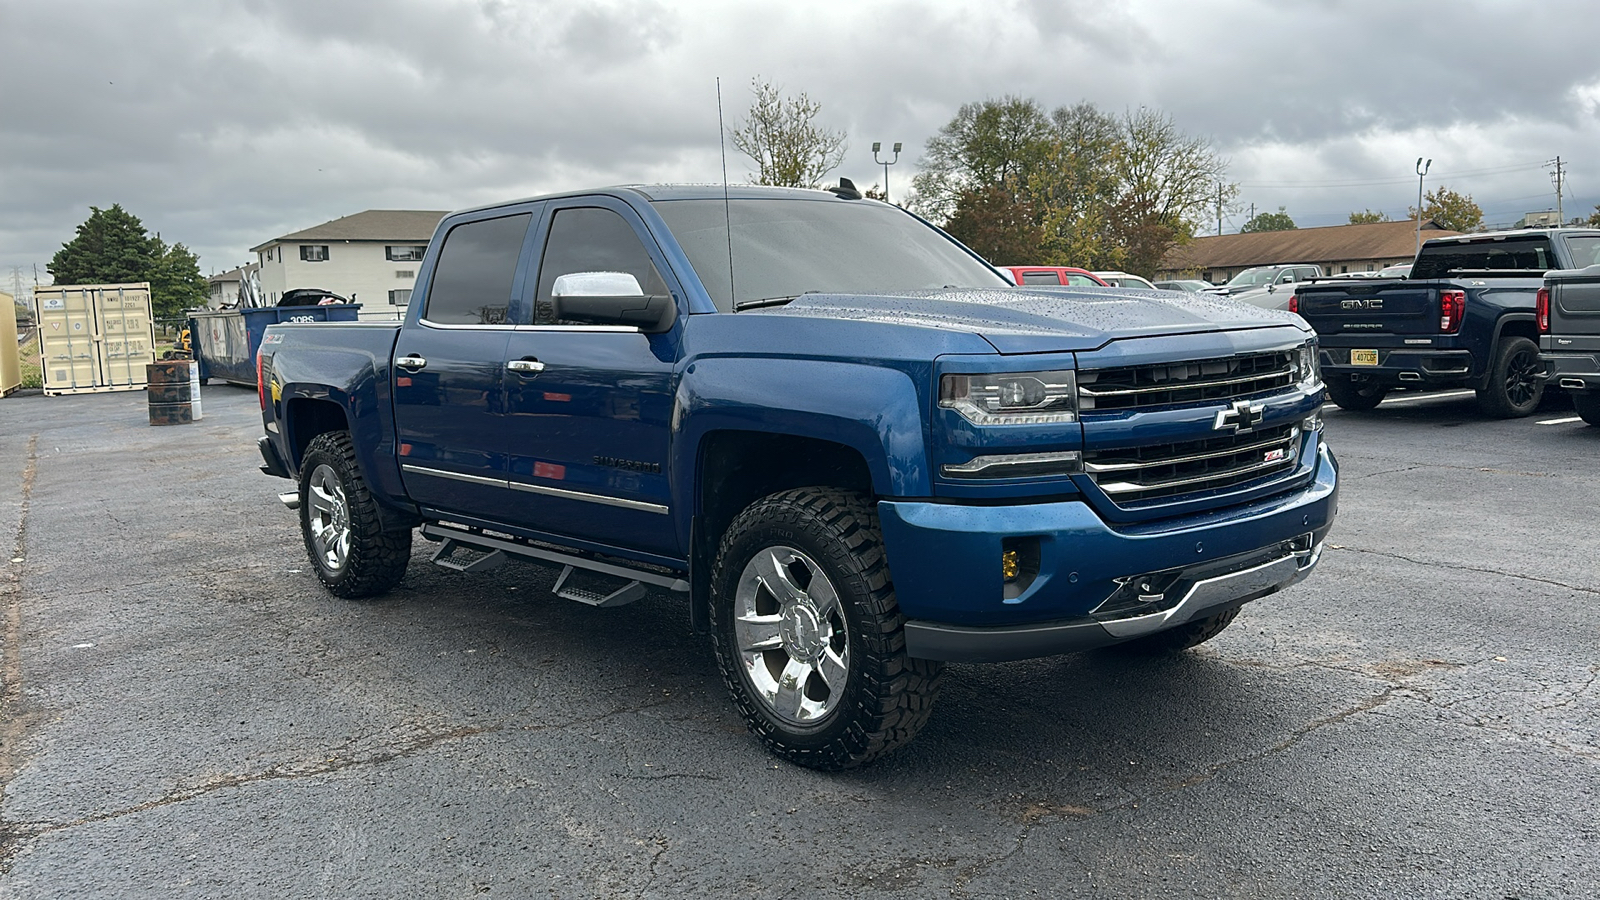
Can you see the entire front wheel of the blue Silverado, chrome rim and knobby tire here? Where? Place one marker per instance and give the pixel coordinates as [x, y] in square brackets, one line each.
[809, 635]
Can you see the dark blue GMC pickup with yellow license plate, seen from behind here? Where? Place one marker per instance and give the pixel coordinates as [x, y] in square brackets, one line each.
[1465, 318]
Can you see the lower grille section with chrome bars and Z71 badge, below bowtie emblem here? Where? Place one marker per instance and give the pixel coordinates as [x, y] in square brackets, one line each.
[1158, 472]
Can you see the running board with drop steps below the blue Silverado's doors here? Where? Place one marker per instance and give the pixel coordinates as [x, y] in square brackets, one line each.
[497, 552]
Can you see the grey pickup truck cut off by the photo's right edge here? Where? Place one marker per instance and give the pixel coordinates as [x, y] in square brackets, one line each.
[1569, 308]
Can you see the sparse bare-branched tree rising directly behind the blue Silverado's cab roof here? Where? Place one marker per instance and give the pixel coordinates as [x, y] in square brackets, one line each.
[782, 135]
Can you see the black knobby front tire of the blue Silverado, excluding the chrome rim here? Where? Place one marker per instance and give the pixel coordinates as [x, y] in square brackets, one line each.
[887, 696]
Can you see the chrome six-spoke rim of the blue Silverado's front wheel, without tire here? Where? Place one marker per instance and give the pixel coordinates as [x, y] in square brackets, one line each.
[791, 635]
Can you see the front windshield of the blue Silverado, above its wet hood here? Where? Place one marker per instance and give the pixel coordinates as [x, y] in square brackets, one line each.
[788, 247]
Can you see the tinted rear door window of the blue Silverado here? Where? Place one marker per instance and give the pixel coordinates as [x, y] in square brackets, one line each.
[476, 270]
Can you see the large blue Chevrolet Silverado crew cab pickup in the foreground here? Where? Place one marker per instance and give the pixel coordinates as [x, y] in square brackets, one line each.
[854, 444]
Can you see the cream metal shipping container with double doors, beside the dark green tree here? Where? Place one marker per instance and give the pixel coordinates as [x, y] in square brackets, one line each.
[95, 337]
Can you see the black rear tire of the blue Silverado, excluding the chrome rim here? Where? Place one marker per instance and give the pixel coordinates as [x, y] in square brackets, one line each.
[377, 560]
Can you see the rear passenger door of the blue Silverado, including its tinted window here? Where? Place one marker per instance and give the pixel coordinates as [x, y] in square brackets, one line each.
[449, 364]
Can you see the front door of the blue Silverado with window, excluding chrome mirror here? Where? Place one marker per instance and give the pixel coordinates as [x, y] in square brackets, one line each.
[588, 409]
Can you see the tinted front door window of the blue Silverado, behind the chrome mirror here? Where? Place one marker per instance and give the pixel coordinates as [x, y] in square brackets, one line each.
[591, 239]
